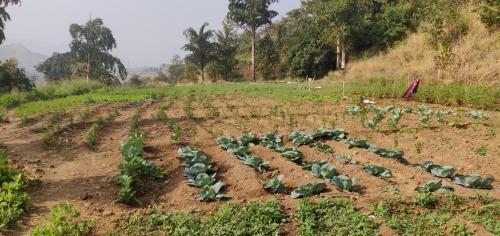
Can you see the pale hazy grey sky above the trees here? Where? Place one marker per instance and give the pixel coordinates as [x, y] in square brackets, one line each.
[147, 34]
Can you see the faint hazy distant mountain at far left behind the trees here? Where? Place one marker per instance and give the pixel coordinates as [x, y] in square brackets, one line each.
[26, 58]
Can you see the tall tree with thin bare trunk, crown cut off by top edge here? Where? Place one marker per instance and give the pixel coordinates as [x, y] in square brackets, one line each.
[251, 14]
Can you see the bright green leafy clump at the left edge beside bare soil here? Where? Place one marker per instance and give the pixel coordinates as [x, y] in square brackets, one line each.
[14, 201]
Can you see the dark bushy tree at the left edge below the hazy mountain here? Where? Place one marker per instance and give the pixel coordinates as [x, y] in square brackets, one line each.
[12, 77]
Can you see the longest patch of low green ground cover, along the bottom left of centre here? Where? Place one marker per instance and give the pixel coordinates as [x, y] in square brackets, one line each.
[253, 218]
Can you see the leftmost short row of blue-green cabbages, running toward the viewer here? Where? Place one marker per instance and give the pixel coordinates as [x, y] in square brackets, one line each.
[197, 170]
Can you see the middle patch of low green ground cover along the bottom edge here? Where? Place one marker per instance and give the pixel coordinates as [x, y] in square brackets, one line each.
[332, 217]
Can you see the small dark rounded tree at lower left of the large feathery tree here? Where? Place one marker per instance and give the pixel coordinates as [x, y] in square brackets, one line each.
[58, 67]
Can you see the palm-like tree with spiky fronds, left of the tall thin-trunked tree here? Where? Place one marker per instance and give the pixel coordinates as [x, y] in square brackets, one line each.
[200, 47]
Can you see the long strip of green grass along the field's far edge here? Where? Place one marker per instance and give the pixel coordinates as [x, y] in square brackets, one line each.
[481, 97]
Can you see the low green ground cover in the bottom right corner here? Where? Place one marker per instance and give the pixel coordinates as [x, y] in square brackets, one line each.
[408, 218]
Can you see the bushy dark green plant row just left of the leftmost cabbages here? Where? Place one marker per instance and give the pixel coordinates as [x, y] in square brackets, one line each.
[134, 167]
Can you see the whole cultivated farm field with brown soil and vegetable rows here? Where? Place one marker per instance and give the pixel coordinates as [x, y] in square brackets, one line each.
[71, 150]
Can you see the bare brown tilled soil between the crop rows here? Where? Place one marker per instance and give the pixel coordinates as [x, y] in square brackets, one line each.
[75, 174]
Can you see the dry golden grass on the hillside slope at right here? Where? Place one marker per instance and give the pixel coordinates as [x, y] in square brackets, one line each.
[476, 59]
